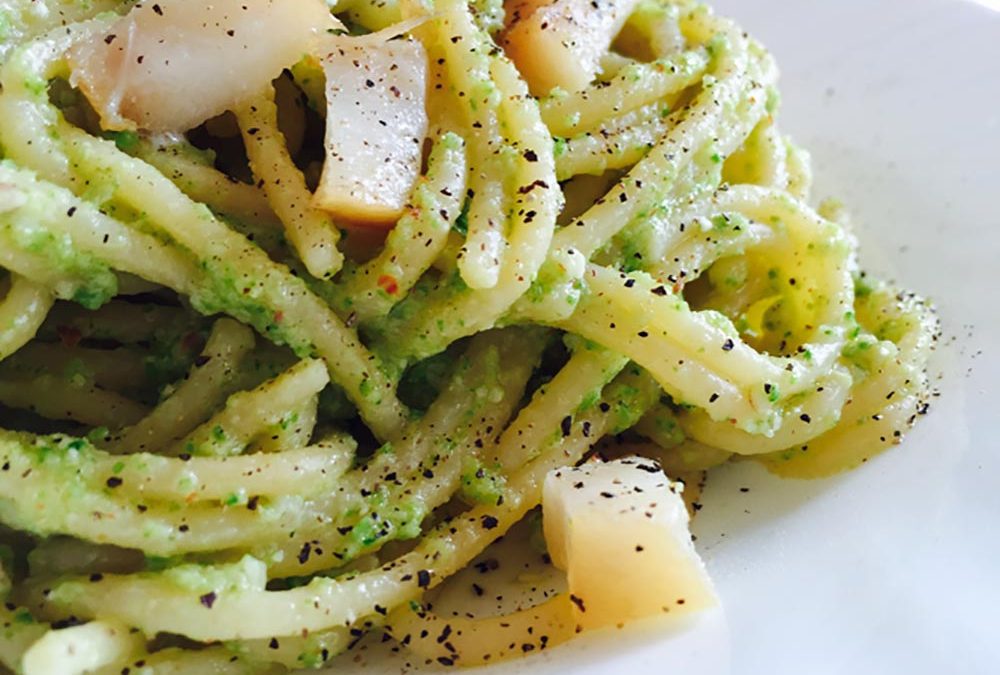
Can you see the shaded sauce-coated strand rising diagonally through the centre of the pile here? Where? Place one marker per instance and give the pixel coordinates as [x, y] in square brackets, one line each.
[423, 468]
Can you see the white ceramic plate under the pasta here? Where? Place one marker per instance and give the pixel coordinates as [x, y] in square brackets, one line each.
[894, 568]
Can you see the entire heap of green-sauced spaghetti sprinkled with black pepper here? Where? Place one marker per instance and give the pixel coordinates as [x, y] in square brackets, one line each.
[239, 431]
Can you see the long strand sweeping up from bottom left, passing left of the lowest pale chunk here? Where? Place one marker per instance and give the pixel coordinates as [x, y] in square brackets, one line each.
[242, 609]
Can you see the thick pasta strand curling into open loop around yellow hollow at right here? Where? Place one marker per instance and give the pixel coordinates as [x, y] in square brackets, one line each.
[817, 255]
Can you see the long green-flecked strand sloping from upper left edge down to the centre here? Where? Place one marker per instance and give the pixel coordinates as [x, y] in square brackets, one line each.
[293, 314]
